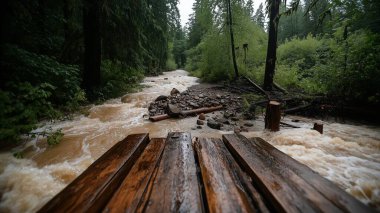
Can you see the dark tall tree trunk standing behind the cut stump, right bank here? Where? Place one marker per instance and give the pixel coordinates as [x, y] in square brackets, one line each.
[272, 44]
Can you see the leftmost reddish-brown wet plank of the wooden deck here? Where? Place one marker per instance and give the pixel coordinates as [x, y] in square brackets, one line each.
[94, 187]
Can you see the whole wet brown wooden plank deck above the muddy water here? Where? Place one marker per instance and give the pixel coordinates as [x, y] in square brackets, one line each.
[177, 174]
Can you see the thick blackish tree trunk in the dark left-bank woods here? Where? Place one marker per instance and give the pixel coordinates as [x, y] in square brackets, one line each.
[92, 45]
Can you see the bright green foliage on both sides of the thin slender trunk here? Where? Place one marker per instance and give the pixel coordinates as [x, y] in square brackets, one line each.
[211, 58]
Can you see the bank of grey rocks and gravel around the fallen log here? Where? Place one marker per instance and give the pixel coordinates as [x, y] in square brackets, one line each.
[234, 116]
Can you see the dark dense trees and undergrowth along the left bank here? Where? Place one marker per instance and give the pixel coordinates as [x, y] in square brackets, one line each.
[57, 55]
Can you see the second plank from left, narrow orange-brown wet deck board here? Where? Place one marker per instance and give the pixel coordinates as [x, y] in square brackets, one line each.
[129, 195]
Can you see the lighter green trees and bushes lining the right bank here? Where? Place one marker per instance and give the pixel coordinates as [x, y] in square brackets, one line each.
[327, 47]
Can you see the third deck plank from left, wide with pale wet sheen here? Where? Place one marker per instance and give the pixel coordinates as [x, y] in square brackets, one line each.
[176, 187]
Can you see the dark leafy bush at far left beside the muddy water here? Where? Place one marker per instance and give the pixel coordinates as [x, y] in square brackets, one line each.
[33, 86]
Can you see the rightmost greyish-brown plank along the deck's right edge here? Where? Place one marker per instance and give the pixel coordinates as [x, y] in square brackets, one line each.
[328, 189]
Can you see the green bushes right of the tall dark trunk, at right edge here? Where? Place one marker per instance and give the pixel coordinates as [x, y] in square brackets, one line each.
[347, 68]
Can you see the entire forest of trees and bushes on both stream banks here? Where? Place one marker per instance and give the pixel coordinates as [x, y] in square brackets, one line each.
[57, 56]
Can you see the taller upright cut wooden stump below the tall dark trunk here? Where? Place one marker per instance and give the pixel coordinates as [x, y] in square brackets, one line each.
[273, 116]
